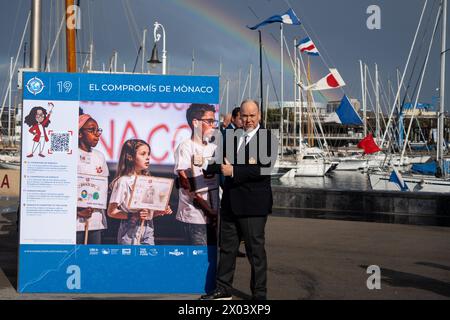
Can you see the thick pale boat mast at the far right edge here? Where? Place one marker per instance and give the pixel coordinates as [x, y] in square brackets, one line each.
[440, 142]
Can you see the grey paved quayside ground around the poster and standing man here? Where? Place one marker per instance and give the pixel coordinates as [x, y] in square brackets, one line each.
[311, 259]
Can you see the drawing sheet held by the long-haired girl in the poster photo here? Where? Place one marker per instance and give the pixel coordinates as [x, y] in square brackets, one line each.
[151, 193]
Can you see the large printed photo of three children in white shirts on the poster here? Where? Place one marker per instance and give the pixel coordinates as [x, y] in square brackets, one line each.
[136, 199]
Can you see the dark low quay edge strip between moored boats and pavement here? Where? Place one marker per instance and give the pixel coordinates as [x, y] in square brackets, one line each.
[418, 208]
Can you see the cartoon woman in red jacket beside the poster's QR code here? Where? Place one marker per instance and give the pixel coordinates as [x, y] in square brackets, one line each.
[38, 120]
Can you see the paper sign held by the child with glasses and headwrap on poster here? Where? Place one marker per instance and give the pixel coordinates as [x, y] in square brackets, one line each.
[92, 191]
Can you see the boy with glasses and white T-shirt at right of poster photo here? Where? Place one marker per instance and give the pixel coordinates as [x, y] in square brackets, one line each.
[198, 203]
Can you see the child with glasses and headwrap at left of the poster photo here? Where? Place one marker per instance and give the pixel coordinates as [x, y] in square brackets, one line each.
[91, 218]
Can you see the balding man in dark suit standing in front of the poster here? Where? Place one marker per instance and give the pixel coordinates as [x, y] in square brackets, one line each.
[246, 202]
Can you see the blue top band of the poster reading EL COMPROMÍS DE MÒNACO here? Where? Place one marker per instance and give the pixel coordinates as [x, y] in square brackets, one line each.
[120, 87]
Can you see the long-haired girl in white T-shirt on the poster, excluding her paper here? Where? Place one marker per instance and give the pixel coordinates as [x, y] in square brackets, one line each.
[136, 226]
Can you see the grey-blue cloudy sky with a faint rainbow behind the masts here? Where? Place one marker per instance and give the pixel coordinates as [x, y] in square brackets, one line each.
[215, 31]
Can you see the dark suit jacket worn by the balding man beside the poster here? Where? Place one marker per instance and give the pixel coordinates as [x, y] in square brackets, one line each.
[248, 192]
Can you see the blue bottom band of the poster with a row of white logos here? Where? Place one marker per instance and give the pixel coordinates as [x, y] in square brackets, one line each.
[116, 269]
